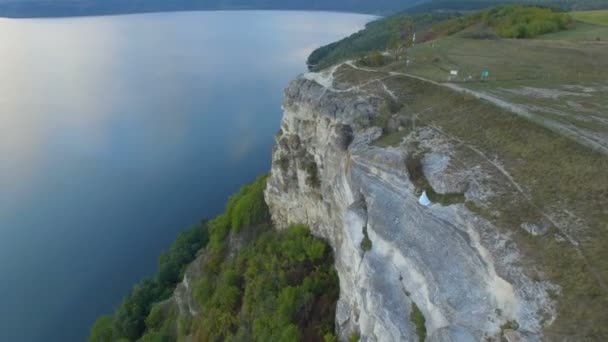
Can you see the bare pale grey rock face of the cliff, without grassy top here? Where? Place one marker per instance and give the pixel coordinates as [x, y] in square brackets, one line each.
[393, 253]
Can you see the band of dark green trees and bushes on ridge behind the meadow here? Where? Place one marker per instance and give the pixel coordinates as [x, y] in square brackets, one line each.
[509, 21]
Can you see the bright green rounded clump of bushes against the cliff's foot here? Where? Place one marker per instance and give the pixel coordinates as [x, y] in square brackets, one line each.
[281, 286]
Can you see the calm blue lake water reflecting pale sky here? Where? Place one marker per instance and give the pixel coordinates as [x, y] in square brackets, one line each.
[118, 132]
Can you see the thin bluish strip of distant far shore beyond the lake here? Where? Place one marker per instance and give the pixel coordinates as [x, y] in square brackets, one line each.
[31, 9]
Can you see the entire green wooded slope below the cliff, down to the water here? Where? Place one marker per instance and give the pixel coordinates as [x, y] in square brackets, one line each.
[276, 286]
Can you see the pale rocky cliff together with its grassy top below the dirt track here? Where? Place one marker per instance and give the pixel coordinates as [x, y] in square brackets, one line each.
[357, 155]
